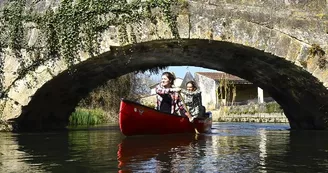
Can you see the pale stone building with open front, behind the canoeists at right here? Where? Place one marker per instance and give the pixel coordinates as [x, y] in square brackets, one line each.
[219, 88]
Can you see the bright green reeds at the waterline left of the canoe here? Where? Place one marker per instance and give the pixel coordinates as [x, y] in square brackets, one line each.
[87, 117]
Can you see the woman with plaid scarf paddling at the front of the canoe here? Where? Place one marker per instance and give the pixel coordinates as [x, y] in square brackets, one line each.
[168, 99]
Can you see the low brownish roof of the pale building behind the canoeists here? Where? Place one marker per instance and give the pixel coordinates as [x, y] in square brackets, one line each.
[221, 75]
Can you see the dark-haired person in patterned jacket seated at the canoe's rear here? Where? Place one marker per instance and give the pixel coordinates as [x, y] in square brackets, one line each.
[193, 100]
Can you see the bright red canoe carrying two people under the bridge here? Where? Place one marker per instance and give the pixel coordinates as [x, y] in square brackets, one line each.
[137, 119]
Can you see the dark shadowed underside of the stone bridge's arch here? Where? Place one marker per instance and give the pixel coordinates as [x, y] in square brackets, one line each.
[303, 98]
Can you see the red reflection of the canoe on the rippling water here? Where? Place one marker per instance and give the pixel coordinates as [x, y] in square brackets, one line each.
[159, 153]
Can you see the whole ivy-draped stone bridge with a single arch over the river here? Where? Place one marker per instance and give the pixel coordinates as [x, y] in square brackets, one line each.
[53, 53]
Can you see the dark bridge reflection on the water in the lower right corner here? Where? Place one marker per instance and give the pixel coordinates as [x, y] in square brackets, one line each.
[303, 151]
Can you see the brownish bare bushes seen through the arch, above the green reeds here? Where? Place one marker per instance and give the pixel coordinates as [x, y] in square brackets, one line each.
[108, 96]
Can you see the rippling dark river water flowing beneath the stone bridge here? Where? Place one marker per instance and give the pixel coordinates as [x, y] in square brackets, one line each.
[231, 147]
